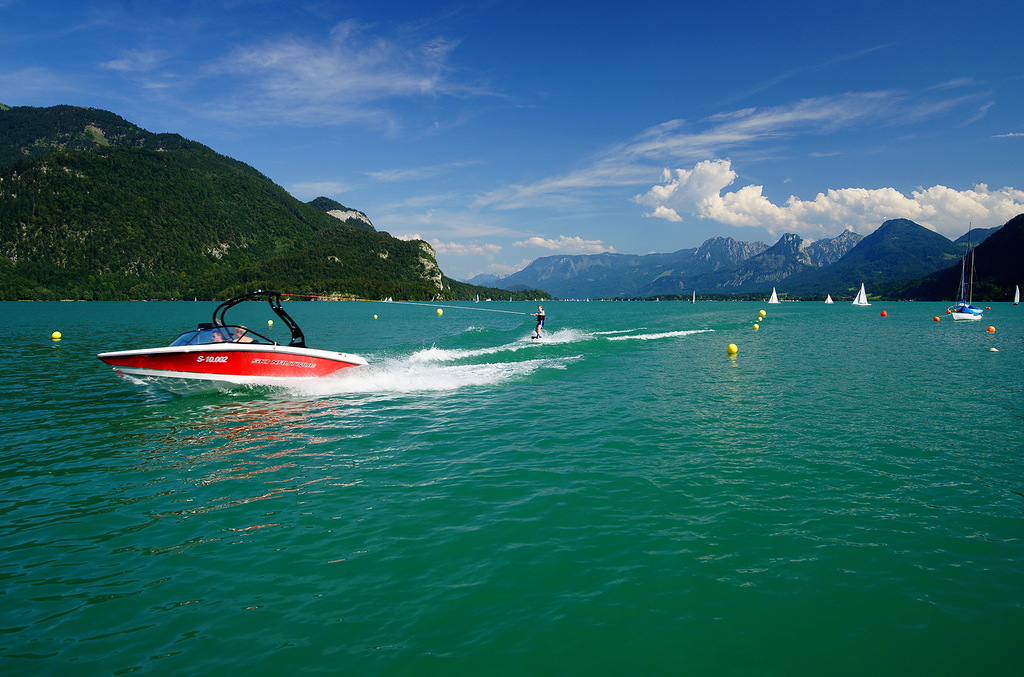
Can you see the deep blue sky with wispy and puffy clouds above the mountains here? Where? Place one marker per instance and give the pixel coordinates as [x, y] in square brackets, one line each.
[507, 131]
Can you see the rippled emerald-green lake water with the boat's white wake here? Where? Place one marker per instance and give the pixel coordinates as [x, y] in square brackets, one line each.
[844, 497]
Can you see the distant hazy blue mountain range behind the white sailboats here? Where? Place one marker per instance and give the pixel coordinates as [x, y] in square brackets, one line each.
[892, 260]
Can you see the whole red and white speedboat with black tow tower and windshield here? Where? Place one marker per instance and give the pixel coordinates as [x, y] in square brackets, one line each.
[220, 354]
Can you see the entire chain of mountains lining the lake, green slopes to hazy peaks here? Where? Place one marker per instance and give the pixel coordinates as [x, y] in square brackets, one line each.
[95, 207]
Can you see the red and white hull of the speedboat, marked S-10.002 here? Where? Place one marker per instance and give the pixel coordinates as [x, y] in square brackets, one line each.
[231, 363]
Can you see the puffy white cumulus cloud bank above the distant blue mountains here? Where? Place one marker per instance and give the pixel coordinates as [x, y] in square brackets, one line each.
[701, 192]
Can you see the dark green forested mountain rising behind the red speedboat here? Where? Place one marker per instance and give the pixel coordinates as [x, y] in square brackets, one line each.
[93, 207]
